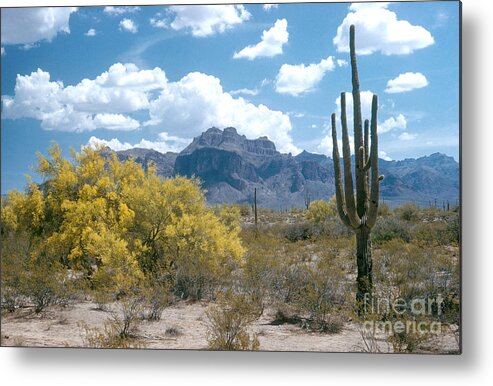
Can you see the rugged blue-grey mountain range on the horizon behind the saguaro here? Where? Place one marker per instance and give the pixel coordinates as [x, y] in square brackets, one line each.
[231, 166]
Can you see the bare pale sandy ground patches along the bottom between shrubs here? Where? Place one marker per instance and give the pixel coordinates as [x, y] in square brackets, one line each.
[61, 327]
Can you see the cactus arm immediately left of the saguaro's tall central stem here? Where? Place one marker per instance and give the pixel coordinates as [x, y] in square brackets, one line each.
[348, 174]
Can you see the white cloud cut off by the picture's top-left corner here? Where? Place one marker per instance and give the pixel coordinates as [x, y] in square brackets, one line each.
[31, 25]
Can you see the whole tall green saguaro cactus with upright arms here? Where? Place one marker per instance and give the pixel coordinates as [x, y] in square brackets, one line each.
[358, 213]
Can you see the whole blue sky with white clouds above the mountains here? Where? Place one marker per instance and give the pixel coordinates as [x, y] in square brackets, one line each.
[158, 76]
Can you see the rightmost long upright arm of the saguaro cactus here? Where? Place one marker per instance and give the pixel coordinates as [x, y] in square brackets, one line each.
[375, 178]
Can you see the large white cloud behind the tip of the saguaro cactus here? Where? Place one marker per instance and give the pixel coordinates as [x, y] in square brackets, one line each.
[379, 29]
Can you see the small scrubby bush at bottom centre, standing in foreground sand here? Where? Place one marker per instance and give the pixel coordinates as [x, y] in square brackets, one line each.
[228, 324]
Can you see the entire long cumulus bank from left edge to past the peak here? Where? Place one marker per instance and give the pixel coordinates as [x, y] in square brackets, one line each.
[183, 109]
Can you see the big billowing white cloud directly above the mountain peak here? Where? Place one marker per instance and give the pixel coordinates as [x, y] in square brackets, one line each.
[197, 101]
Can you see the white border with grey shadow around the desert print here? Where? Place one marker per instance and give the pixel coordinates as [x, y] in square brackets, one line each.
[92, 367]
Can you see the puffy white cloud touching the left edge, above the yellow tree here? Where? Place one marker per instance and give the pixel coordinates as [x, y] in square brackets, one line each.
[88, 105]
